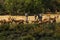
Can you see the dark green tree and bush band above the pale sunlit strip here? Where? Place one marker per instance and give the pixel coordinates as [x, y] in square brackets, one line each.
[20, 7]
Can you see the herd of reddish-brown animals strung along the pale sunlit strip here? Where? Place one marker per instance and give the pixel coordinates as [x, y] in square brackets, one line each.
[44, 20]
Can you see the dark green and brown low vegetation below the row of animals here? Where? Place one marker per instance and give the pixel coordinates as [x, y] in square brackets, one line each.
[30, 31]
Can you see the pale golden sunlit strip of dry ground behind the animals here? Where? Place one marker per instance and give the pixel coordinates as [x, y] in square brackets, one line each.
[30, 18]
